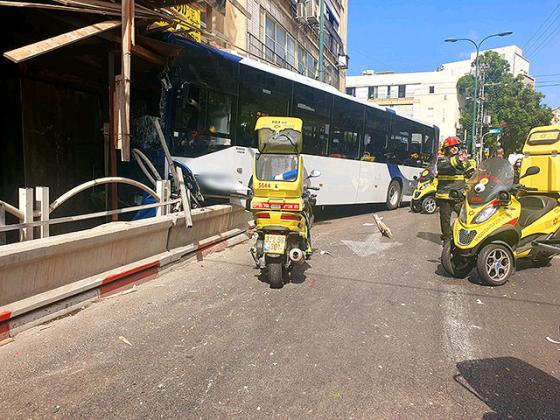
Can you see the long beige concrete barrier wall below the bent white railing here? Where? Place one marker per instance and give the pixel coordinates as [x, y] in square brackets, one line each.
[76, 262]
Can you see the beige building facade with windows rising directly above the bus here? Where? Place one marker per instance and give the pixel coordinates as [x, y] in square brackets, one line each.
[284, 33]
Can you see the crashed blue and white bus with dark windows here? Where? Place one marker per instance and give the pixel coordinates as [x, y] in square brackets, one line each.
[366, 153]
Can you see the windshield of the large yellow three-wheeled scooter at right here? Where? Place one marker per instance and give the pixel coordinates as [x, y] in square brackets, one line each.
[492, 177]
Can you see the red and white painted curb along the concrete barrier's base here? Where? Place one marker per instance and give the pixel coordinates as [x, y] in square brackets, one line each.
[27, 313]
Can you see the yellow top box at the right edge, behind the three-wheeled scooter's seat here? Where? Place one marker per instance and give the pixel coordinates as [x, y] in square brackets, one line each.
[542, 149]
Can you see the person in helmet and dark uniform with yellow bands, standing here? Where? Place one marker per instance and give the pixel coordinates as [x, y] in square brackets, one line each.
[452, 169]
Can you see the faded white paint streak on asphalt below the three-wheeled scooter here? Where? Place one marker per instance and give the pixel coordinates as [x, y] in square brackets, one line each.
[457, 340]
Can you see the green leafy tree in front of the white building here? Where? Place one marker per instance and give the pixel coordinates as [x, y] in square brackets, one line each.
[507, 99]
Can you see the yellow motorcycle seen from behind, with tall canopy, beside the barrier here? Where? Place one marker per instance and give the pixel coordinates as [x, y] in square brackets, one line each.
[282, 202]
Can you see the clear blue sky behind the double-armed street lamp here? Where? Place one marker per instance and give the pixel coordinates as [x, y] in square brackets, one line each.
[407, 35]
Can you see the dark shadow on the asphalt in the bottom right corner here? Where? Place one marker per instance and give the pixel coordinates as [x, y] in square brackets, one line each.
[511, 388]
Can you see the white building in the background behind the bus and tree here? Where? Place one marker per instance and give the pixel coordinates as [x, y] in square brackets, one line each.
[429, 96]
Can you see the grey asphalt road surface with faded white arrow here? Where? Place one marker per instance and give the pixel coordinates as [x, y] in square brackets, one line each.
[371, 329]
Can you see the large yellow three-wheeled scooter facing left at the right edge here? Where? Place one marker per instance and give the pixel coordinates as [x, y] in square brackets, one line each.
[501, 222]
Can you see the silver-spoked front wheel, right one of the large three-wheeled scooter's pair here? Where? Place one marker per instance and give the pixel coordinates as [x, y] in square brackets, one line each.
[495, 264]
